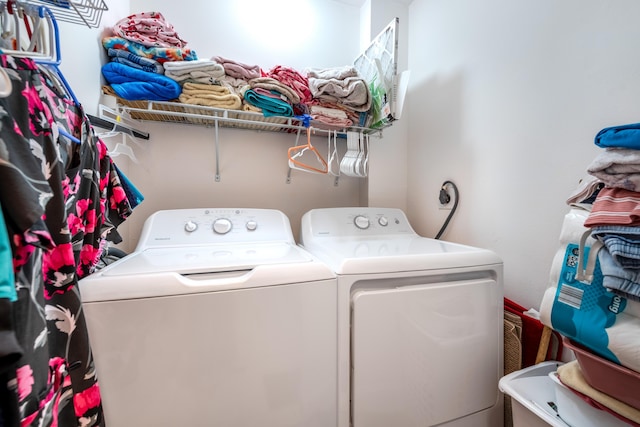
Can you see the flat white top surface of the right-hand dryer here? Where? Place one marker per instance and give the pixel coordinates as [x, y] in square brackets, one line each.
[396, 254]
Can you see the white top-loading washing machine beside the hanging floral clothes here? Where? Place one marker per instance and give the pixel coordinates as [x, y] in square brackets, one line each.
[217, 318]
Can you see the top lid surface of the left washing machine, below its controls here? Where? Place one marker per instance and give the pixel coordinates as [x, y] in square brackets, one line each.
[206, 259]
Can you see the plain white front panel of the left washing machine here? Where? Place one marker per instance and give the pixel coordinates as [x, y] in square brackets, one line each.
[250, 357]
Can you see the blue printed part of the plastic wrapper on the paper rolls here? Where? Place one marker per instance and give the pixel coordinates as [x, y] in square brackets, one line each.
[582, 311]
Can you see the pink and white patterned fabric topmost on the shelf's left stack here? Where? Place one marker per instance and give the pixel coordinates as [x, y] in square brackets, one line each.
[148, 29]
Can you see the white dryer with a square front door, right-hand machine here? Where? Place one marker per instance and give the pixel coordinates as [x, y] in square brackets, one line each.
[420, 322]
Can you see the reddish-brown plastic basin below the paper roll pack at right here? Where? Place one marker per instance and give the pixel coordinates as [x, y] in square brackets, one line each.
[610, 378]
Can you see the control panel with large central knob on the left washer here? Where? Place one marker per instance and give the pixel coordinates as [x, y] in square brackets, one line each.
[214, 225]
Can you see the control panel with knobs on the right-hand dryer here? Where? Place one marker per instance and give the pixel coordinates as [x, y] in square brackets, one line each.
[345, 222]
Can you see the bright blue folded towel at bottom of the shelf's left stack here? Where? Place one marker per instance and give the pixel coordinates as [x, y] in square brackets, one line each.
[132, 84]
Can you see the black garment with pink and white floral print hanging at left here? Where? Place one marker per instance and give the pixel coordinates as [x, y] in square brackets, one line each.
[61, 202]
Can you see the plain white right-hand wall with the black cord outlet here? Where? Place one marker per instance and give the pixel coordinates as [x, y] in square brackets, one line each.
[506, 98]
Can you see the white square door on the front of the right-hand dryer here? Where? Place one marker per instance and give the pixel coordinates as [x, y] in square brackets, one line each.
[427, 354]
